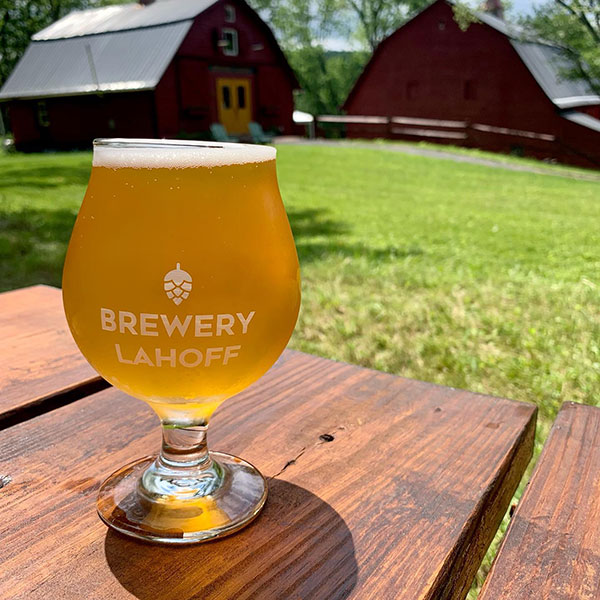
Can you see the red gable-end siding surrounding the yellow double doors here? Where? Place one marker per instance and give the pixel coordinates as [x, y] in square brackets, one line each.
[199, 61]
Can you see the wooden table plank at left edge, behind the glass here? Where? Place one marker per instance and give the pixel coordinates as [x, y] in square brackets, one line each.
[40, 365]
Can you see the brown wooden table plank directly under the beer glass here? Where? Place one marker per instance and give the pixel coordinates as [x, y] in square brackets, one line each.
[402, 503]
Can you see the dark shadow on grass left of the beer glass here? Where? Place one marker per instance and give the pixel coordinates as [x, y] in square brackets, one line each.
[33, 243]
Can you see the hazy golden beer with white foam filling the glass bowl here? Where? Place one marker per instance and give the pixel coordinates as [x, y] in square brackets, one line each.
[181, 282]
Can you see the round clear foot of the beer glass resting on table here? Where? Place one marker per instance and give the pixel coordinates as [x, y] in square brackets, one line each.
[168, 519]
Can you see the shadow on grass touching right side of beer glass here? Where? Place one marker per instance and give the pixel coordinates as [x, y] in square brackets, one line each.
[309, 224]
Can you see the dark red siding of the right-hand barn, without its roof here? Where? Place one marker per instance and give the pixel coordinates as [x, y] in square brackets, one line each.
[431, 69]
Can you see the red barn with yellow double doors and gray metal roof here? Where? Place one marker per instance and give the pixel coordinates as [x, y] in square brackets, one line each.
[164, 69]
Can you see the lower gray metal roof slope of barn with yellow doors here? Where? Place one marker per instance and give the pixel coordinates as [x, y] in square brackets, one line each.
[107, 62]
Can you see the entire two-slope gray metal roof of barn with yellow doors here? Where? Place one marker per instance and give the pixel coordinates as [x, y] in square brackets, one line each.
[109, 49]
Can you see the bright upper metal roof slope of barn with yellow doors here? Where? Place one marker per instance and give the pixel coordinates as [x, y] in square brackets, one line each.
[122, 17]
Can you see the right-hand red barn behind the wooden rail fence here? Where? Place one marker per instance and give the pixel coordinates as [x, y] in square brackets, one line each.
[489, 87]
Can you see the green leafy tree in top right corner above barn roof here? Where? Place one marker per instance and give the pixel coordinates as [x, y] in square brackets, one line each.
[574, 24]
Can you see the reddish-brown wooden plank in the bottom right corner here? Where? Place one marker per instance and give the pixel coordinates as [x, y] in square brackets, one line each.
[551, 550]
